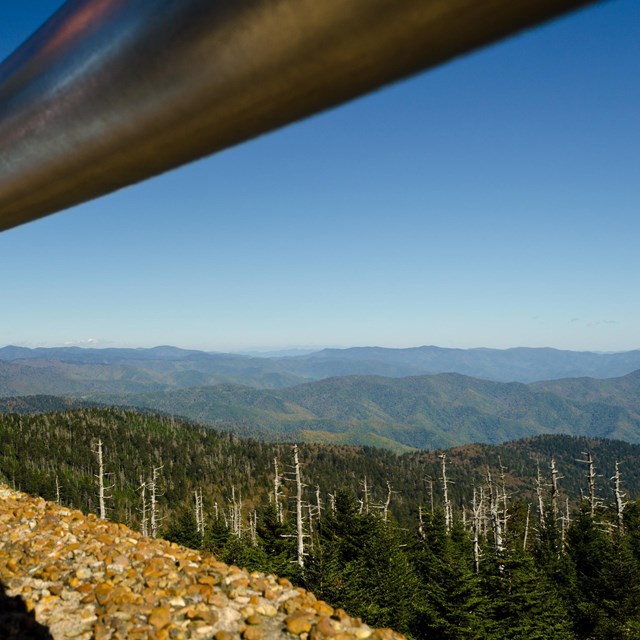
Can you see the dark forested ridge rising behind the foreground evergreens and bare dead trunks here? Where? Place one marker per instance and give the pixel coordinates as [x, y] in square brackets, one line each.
[54, 455]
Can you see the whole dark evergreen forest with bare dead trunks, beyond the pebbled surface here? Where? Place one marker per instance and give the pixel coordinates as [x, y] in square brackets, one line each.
[526, 540]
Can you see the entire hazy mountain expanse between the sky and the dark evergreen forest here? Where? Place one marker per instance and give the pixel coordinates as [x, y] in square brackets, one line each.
[260, 395]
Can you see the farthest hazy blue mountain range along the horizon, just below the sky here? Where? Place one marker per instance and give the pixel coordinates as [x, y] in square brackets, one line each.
[71, 370]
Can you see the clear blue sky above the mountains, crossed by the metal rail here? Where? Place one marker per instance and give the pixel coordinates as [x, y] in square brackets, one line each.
[492, 202]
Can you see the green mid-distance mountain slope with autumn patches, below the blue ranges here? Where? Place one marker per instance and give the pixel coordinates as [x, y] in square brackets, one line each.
[407, 413]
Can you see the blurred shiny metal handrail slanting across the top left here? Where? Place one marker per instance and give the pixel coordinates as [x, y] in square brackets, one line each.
[110, 92]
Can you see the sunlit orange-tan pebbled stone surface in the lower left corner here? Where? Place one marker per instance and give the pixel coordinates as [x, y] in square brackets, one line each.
[67, 575]
